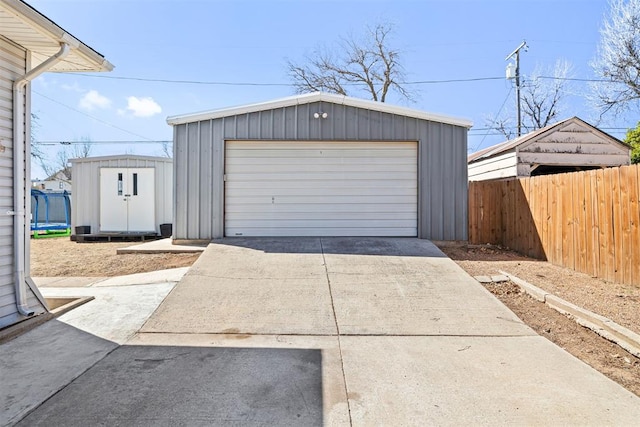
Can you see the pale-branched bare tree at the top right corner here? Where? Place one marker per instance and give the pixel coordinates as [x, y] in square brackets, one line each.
[617, 62]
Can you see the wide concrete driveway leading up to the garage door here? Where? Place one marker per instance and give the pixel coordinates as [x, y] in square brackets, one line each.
[337, 331]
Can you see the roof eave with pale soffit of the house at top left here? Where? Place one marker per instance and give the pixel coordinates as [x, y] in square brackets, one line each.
[27, 27]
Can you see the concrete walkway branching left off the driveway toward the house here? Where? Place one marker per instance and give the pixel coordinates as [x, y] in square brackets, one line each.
[41, 362]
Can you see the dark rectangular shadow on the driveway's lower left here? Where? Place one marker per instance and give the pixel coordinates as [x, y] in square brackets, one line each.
[167, 385]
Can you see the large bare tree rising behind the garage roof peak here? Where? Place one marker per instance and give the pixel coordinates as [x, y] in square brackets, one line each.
[369, 64]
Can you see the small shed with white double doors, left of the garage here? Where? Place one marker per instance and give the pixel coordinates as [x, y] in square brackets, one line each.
[122, 194]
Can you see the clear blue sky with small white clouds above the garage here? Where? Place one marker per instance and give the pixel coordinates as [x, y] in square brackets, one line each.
[250, 41]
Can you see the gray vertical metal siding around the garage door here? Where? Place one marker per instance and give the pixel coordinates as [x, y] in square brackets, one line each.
[199, 161]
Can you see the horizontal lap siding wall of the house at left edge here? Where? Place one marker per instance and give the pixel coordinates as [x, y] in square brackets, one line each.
[13, 63]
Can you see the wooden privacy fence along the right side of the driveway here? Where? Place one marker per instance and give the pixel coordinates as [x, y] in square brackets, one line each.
[588, 221]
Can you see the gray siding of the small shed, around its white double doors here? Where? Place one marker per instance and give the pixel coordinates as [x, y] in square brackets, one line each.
[85, 208]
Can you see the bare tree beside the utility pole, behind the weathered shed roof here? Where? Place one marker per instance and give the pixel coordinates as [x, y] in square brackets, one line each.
[542, 95]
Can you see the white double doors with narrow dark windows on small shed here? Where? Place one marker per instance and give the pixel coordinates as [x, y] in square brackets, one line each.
[127, 200]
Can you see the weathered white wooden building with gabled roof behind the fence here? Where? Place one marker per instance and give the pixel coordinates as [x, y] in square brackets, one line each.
[567, 146]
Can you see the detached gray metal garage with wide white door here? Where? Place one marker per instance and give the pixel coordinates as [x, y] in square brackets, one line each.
[319, 165]
